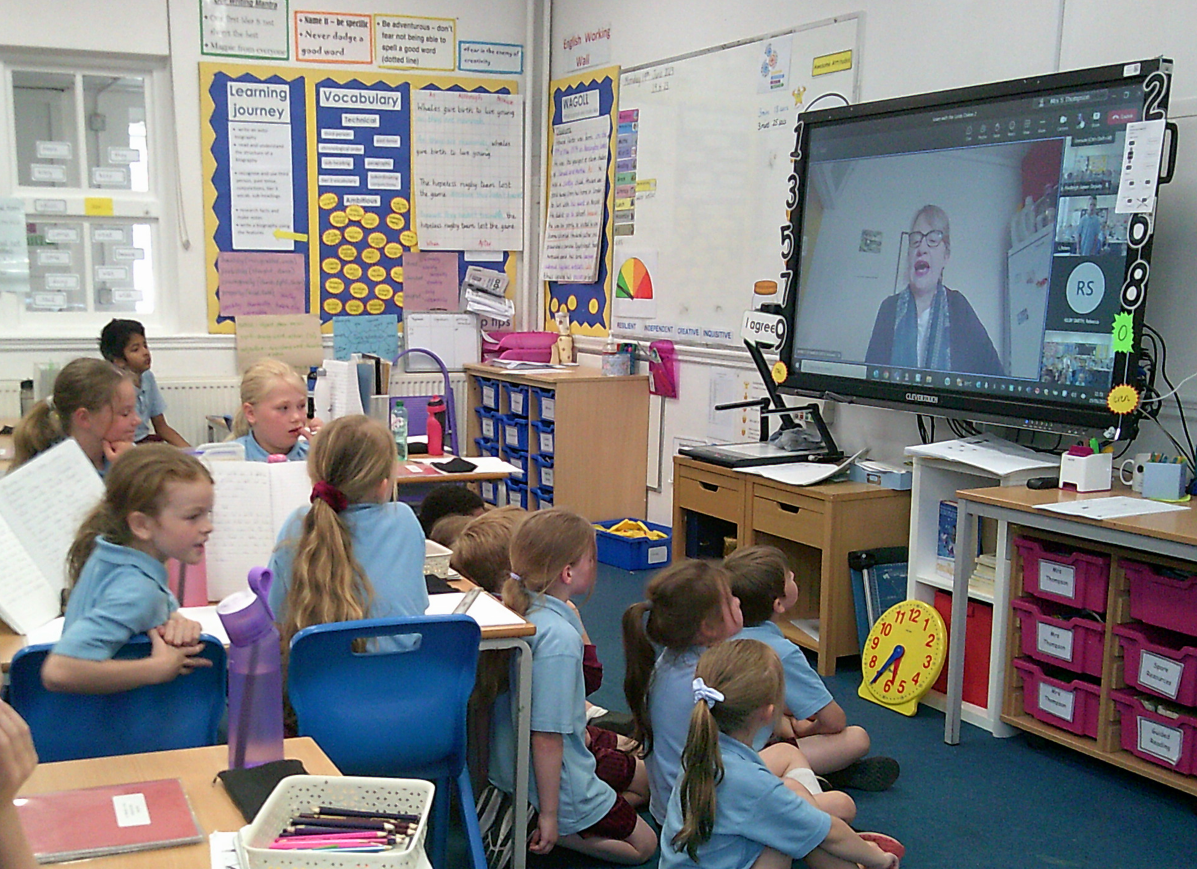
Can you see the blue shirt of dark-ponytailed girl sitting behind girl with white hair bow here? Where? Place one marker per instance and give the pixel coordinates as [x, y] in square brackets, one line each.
[671, 702]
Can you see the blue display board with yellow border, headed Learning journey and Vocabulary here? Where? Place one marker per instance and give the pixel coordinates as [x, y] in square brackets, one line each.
[308, 178]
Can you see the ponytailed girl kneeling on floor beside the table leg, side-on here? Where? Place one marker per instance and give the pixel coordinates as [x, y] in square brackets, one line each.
[584, 805]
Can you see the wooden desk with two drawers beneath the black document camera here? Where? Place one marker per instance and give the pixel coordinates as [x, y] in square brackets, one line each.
[816, 526]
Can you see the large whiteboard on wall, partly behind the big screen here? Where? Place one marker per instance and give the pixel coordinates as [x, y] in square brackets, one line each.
[707, 141]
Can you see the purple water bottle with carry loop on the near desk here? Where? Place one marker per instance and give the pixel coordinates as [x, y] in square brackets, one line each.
[256, 674]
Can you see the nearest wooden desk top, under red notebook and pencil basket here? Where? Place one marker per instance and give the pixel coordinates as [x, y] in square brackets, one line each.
[197, 768]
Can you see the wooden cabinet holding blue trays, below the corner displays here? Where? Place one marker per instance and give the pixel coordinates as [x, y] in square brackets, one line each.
[600, 436]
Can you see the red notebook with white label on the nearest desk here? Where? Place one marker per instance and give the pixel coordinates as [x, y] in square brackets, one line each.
[113, 819]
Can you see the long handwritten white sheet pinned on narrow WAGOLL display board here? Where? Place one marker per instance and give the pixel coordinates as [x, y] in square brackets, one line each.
[578, 192]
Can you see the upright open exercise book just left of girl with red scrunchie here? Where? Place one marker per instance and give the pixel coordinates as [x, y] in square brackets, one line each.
[254, 500]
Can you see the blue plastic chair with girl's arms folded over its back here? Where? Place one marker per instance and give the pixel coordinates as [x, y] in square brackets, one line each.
[184, 713]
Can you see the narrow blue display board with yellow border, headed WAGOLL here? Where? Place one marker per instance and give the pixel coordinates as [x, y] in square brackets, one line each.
[581, 119]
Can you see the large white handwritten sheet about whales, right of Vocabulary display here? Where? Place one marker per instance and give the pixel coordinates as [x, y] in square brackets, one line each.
[469, 166]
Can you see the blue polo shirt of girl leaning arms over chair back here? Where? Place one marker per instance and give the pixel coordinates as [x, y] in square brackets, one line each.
[121, 593]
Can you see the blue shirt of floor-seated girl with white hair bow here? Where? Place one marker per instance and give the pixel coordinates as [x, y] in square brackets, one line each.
[754, 811]
